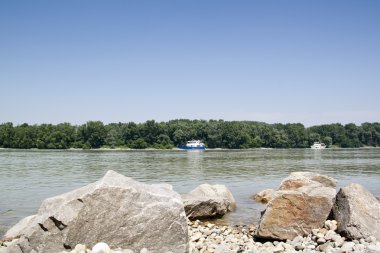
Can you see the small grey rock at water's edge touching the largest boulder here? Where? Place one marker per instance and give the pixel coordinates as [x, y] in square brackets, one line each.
[208, 201]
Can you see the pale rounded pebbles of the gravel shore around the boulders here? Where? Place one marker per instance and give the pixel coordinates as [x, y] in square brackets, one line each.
[205, 237]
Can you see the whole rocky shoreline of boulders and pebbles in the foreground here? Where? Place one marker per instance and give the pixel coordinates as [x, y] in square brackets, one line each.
[305, 214]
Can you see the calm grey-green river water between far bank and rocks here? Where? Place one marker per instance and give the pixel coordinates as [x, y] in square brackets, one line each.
[29, 176]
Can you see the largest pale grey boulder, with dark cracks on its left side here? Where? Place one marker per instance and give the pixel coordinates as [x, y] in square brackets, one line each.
[116, 210]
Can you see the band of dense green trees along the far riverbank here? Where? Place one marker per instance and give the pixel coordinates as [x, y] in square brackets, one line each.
[215, 134]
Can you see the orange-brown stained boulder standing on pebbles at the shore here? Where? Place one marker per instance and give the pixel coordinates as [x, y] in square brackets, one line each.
[302, 203]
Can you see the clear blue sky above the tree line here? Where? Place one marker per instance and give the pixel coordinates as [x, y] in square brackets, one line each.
[313, 62]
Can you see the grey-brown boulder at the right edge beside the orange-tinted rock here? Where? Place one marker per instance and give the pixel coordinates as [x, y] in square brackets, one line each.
[357, 212]
